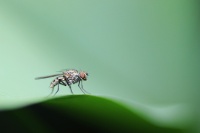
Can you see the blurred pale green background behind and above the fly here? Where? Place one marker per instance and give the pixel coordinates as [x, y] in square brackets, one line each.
[136, 51]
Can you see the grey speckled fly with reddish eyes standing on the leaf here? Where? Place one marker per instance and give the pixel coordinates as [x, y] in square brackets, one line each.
[67, 78]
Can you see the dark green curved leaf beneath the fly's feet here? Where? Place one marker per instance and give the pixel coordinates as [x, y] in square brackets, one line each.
[78, 113]
